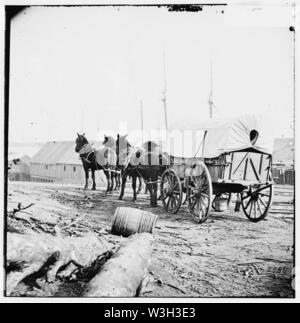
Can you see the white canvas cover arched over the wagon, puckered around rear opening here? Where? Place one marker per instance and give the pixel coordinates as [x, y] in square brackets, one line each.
[232, 135]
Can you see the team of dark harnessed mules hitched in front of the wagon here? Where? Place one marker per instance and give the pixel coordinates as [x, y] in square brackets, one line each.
[119, 160]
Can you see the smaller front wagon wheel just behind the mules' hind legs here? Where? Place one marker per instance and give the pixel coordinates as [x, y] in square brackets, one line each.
[171, 191]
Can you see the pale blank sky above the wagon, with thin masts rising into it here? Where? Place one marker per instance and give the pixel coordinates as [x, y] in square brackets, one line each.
[86, 69]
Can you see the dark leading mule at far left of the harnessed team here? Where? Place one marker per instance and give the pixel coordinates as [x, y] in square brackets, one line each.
[102, 159]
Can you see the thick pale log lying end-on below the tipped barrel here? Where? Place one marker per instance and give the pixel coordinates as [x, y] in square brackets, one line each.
[123, 273]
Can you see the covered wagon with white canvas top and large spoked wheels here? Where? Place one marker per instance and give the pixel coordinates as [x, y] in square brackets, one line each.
[235, 158]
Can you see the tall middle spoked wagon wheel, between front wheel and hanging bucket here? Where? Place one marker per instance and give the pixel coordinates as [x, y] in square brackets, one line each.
[200, 194]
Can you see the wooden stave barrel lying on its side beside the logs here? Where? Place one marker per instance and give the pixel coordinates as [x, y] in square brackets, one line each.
[128, 221]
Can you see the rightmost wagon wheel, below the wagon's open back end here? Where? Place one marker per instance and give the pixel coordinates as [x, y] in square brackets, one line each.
[257, 201]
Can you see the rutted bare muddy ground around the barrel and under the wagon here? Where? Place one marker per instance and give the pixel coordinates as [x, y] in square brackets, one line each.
[228, 256]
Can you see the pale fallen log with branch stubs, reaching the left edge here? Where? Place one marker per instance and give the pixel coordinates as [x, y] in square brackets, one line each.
[28, 254]
